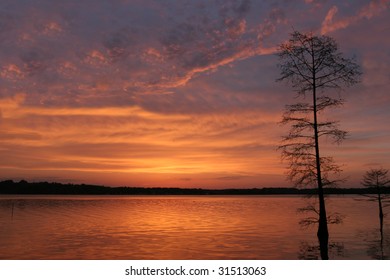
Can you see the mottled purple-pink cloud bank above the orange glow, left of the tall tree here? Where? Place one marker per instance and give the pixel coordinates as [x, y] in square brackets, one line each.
[84, 53]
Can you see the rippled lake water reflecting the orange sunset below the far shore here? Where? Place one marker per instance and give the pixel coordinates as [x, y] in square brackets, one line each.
[182, 227]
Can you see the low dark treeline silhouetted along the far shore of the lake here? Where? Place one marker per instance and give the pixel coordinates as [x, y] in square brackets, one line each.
[24, 187]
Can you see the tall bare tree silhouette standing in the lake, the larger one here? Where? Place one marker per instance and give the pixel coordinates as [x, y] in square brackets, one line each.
[313, 65]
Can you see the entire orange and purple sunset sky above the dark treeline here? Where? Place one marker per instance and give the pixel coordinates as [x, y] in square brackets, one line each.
[177, 93]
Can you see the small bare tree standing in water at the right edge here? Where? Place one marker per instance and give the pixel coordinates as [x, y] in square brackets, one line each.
[378, 180]
